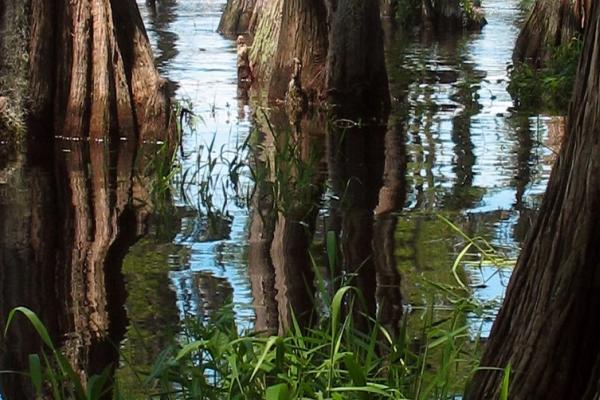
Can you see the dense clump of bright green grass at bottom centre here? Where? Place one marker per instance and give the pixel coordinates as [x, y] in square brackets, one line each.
[332, 360]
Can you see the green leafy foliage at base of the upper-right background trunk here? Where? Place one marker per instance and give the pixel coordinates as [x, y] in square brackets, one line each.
[549, 87]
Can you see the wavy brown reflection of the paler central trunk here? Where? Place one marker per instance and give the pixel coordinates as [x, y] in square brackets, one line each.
[283, 221]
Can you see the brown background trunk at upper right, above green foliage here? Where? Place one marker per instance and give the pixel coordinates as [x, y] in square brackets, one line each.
[551, 23]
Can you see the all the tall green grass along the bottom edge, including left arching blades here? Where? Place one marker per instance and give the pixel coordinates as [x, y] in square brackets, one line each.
[331, 360]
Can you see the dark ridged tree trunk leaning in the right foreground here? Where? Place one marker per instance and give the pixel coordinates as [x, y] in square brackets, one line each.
[547, 329]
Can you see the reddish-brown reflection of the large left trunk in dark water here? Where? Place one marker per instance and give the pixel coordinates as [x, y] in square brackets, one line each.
[68, 221]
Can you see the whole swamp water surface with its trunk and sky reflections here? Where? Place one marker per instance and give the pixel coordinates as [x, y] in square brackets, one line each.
[453, 147]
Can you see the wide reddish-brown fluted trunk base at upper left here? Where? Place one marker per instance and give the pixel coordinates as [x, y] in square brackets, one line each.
[91, 70]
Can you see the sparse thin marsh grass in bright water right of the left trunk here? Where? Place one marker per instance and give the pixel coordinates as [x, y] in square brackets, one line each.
[204, 181]
